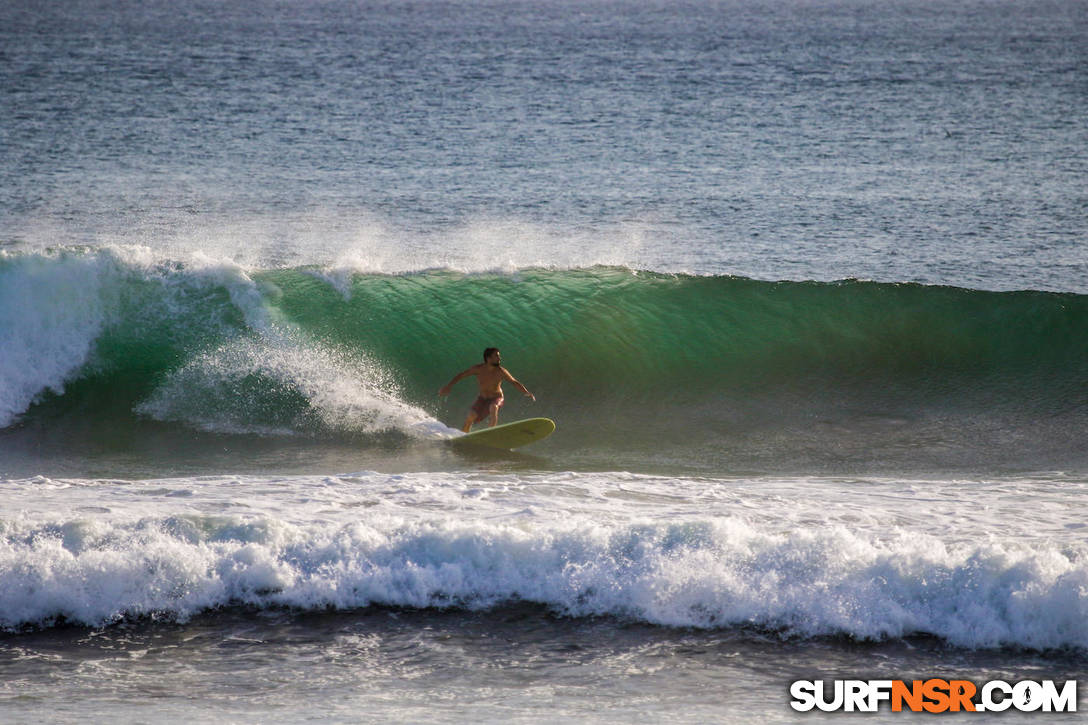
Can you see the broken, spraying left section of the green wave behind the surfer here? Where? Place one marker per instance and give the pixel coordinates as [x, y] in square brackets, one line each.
[199, 343]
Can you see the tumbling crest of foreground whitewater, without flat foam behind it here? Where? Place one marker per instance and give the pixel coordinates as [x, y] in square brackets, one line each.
[706, 574]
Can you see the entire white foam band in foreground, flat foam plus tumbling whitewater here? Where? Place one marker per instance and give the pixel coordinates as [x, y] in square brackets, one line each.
[689, 554]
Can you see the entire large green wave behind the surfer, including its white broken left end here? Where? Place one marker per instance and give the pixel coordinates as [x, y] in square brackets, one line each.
[636, 364]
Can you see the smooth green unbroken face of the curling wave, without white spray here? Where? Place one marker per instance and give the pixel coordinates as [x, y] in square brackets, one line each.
[609, 335]
